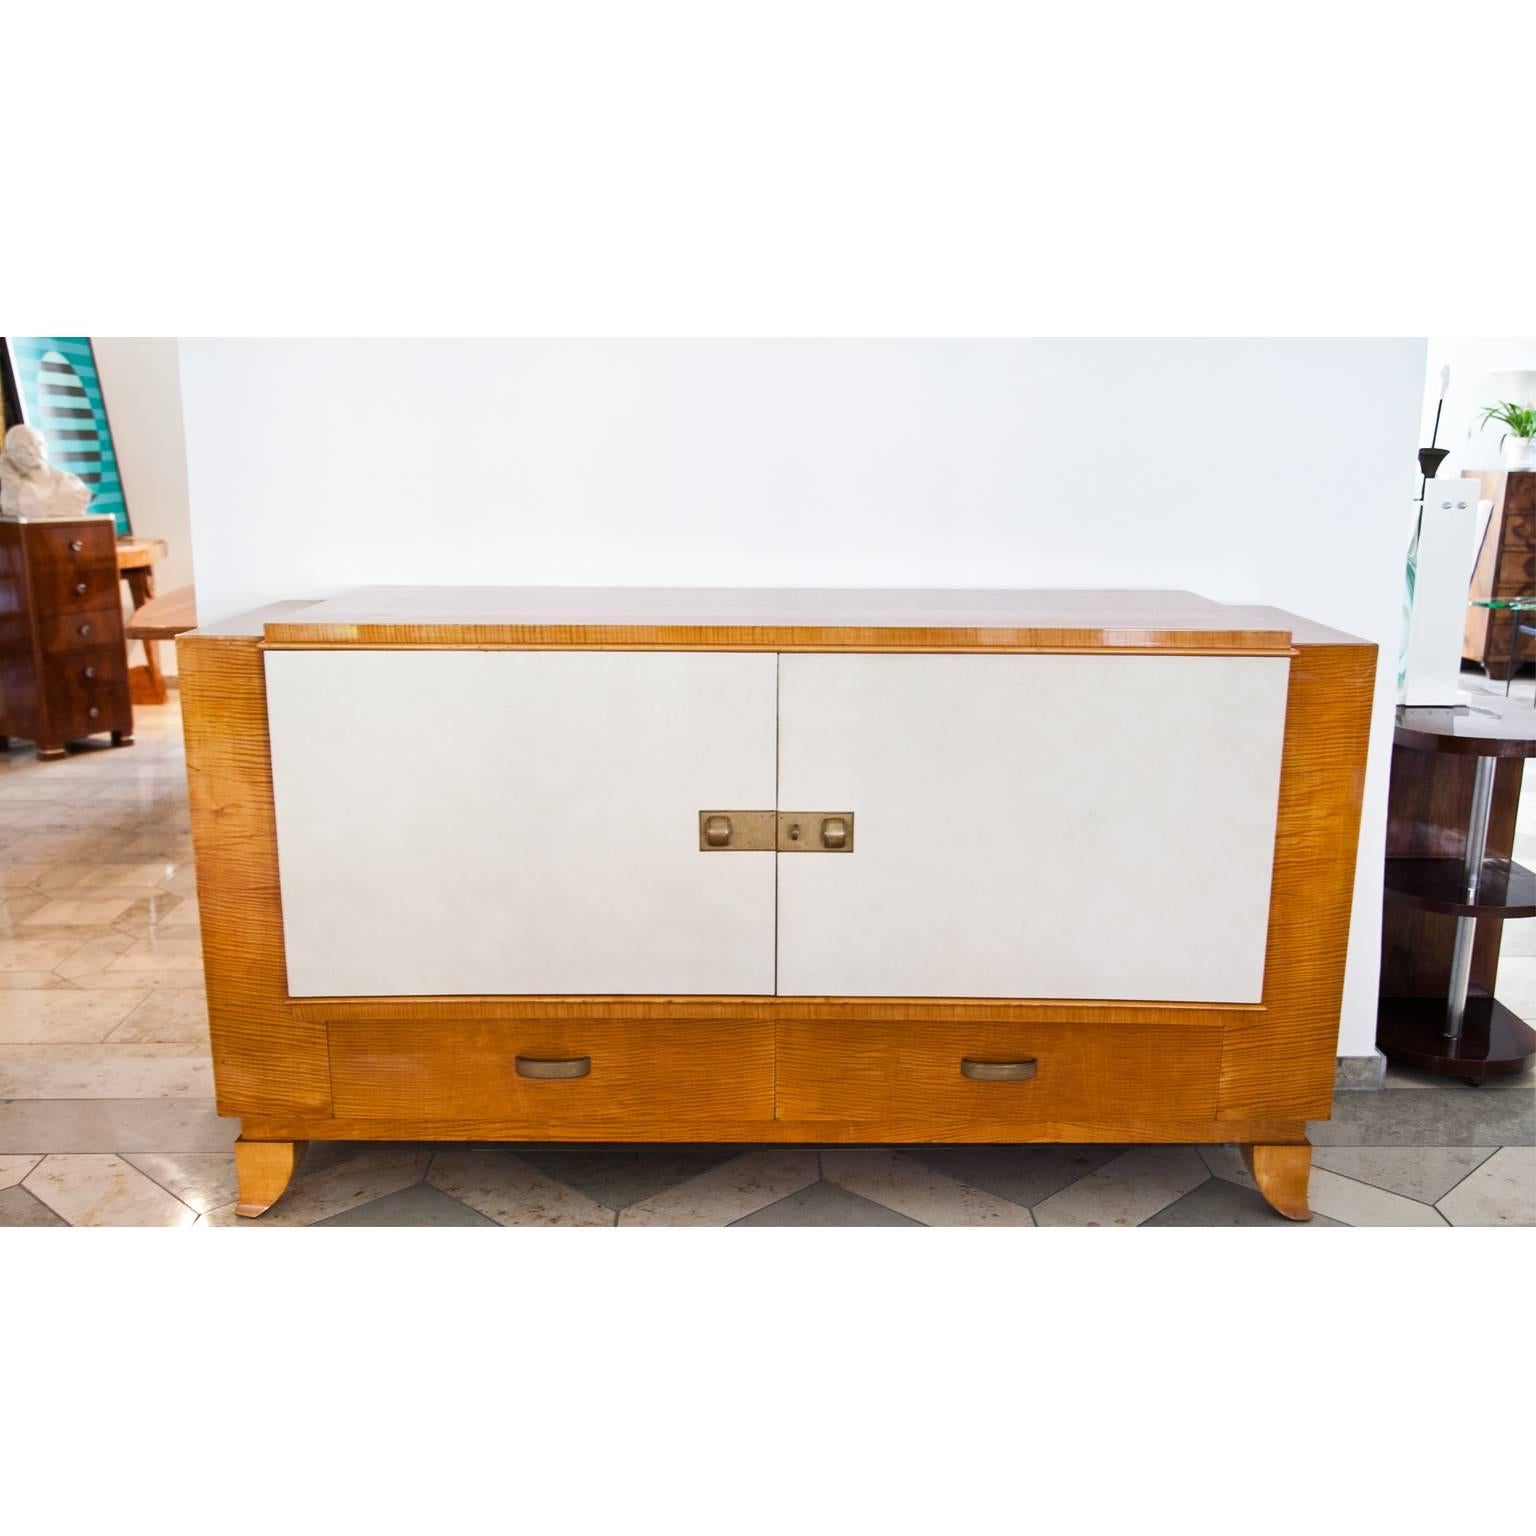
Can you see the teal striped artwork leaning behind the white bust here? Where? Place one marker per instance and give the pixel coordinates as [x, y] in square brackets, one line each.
[59, 394]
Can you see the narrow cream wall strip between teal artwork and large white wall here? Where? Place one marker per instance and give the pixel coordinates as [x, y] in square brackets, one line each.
[141, 382]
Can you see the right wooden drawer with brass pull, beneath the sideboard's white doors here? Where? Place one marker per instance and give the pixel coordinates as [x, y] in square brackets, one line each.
[996, 1079]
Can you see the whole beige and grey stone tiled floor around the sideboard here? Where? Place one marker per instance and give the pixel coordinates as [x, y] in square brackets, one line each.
[107, 1114]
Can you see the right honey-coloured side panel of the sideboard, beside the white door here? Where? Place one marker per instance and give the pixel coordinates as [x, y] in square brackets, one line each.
[1280, 1064]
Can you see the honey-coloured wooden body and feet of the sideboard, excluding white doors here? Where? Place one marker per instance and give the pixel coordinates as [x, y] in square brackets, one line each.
[770, 1070]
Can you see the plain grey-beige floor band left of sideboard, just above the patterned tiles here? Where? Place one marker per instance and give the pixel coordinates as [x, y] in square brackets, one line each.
[114, 1125]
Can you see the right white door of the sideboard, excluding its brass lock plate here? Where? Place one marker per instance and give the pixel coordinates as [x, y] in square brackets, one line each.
[1056, 827]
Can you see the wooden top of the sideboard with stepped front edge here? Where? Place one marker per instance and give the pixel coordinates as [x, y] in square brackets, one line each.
[781, 620]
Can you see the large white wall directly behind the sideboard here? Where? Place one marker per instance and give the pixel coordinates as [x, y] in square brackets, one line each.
[1248, 471]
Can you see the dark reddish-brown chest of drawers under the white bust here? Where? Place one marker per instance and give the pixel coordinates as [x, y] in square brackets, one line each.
[64, 661]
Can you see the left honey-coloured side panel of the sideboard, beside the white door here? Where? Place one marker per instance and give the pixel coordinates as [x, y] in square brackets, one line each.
[266, 1061]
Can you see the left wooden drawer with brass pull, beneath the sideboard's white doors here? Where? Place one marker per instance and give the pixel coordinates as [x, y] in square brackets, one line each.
[555, 1074]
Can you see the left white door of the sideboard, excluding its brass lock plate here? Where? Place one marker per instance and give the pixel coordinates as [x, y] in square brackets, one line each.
[534, 827]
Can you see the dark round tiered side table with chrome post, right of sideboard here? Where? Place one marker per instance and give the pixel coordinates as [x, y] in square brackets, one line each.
[1452, 886]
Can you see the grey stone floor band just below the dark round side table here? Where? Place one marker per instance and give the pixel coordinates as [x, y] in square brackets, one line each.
[1495, 1114]
